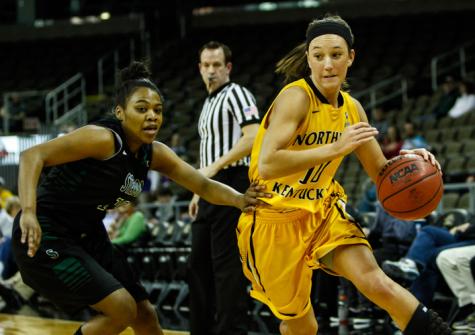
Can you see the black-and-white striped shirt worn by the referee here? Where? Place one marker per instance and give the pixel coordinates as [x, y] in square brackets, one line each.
[224, 113]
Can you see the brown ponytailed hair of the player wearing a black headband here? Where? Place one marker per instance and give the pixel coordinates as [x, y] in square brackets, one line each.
[294, 65]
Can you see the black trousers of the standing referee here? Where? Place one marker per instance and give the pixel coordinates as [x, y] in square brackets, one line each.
[218, 296]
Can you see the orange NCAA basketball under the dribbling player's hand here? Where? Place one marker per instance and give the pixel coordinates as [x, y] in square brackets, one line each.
[409, 187]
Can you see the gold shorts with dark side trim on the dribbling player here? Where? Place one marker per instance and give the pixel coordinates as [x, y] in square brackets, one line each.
[279, 251]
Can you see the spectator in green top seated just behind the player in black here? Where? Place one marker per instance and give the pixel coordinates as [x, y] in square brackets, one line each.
[129, 226]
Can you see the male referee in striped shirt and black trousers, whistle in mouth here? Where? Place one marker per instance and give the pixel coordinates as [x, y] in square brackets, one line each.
[227, 126]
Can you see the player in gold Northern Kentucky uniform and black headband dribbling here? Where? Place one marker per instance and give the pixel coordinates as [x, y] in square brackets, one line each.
[308, 129]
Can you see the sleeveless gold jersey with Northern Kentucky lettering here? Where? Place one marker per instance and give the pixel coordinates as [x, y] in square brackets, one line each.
[323, 125]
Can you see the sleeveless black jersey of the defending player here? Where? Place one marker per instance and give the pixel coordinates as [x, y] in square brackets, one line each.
[80, 192]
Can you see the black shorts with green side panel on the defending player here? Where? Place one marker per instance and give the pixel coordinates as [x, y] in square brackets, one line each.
[71, 271]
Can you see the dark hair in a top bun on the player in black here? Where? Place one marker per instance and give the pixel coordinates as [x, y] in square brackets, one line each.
[130, 78]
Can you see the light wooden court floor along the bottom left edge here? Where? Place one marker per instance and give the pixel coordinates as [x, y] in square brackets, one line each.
[31, 325]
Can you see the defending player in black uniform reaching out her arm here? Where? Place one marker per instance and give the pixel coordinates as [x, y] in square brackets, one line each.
[59, 241]
